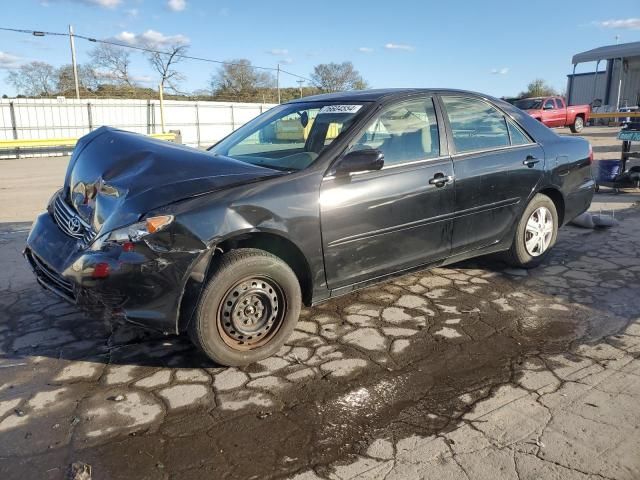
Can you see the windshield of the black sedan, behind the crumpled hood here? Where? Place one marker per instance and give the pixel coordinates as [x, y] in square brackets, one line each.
[289, 137]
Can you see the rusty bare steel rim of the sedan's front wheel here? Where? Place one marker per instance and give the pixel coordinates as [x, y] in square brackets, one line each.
[251, 313]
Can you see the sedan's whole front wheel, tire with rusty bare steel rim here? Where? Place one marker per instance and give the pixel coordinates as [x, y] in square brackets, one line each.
[248, 277]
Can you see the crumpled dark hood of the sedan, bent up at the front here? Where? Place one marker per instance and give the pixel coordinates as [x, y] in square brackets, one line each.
[115, 176]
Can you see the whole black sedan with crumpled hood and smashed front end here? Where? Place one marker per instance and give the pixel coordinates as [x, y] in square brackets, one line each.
[311, 200]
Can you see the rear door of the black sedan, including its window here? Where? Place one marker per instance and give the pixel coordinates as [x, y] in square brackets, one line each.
[496, 167]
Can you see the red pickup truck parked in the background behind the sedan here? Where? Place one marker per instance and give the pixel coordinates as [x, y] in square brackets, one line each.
[553, 112]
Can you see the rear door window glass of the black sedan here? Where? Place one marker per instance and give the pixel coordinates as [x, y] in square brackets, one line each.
[475, 124]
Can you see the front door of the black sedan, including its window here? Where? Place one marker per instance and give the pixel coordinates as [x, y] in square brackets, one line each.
[378, 222]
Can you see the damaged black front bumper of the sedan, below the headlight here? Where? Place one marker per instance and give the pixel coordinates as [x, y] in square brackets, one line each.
[141, 284]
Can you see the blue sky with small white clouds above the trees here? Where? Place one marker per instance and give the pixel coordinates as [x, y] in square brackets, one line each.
[493, 46]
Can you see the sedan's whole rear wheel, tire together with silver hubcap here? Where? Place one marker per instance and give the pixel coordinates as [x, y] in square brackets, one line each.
[536, 233]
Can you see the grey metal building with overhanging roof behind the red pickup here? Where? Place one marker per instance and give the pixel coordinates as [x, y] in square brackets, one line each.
[617, 86]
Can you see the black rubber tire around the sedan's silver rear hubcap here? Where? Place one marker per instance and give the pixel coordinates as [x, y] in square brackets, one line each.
[518, 255]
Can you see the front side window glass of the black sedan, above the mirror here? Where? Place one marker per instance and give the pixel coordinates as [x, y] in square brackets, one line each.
[404, 133]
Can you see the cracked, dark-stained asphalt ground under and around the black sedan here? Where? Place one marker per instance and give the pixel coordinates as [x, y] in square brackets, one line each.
[473, 371]
